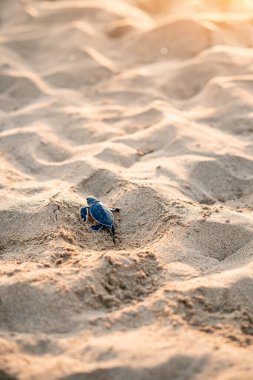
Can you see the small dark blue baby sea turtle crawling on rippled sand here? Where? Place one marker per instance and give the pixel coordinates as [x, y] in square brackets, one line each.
[101, 214]
